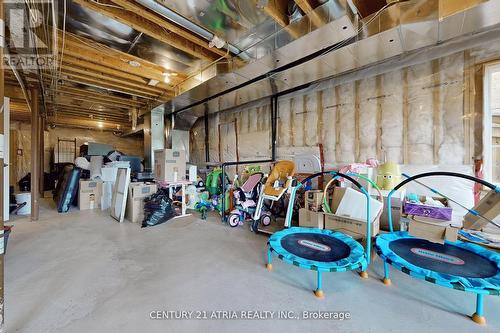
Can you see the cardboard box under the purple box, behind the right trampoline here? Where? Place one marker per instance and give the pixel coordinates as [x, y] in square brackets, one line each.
[433, 231]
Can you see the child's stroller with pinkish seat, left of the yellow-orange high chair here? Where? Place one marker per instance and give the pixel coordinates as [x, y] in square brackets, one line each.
[246, 201]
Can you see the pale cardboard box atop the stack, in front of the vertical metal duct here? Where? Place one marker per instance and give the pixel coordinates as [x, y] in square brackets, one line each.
[170, 165]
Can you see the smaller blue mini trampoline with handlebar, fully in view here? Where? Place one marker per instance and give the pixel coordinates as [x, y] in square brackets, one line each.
[320, 250]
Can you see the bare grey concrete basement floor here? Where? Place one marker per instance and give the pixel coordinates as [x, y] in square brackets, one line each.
[84, 272]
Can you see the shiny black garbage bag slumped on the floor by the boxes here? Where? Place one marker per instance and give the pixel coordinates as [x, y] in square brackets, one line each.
[158, 209]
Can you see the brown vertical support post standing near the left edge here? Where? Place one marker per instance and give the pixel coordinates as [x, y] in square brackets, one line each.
[35, 151]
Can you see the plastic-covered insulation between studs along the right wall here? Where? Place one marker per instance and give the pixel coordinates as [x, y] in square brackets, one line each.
[429, 94]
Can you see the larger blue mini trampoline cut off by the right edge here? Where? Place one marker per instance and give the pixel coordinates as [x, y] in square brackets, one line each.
[458, 265]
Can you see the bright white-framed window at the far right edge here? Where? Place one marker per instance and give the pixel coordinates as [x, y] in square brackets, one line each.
[491, 123]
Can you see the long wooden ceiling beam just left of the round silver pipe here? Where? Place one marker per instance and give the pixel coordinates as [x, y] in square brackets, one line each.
[151, 29]
